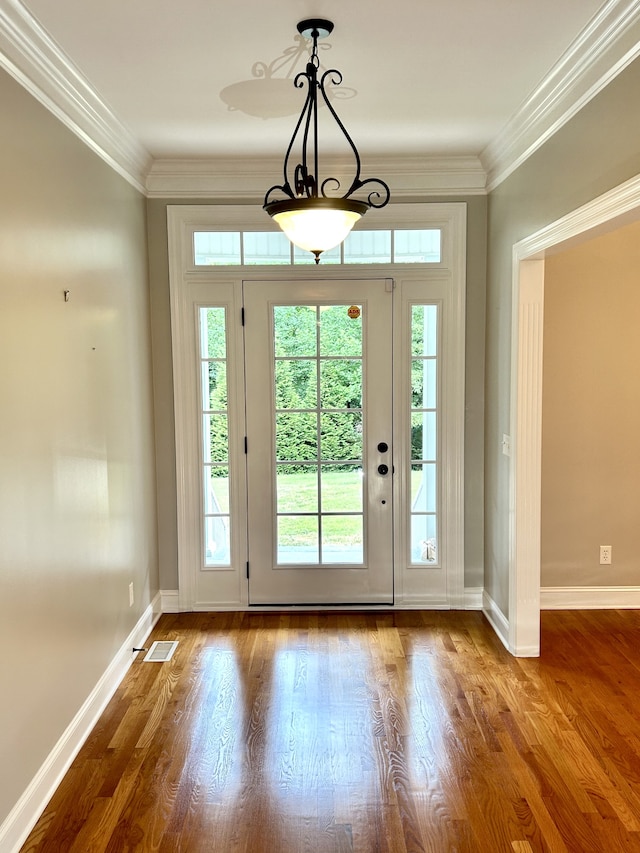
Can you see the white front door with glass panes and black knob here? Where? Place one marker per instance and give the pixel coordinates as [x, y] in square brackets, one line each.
[318, 361]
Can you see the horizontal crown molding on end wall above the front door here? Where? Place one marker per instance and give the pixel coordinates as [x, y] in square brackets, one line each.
[237, 179]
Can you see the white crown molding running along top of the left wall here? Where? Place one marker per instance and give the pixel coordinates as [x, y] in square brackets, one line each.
[33, 58]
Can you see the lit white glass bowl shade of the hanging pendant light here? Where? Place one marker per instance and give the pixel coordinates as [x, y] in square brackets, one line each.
[316, 224]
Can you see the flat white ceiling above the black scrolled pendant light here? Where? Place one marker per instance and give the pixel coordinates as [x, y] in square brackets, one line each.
[422, 77]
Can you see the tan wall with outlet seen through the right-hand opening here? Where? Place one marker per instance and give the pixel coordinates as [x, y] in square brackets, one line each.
[591, 412]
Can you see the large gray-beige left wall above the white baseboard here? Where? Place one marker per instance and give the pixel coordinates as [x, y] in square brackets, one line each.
[77, 479]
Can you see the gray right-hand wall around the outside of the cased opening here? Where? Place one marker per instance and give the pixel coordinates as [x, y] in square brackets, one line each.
[597, 150]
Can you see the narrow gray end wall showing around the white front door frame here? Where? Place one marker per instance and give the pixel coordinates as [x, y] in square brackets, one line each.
[163, 386]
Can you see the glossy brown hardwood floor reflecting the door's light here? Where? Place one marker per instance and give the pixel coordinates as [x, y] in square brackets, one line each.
[373, 733]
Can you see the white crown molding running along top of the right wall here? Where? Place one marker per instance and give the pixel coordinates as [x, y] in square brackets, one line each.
[607, 45]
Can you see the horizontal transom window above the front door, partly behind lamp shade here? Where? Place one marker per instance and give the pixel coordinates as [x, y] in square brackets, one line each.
[269, 248]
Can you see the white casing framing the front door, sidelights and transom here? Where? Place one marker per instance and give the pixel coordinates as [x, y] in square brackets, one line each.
[190, 286]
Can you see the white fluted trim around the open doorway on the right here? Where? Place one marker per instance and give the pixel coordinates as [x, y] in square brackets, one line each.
[605, 213]
